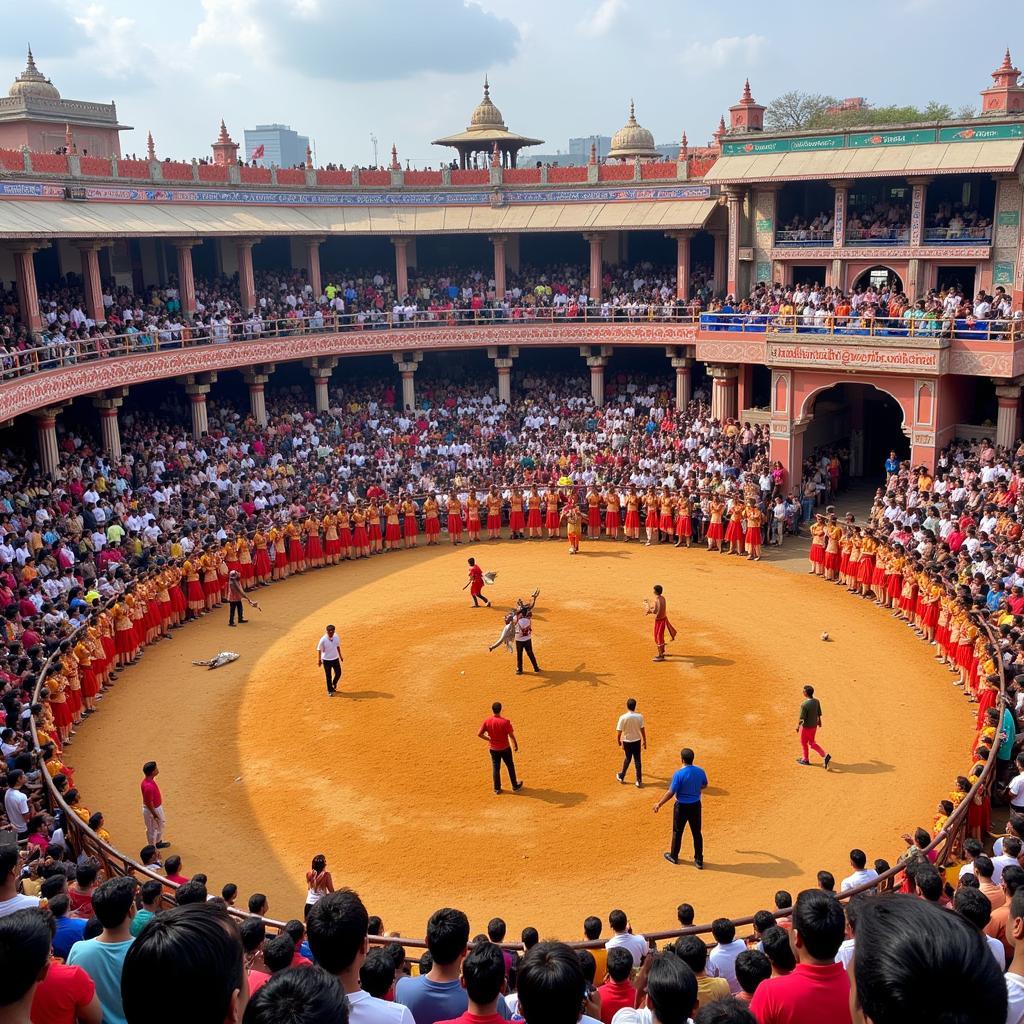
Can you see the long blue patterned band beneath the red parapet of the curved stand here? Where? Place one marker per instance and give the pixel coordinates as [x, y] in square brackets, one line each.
[215, 197]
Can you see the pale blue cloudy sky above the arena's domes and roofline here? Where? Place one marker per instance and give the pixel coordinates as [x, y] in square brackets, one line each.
[408, 71]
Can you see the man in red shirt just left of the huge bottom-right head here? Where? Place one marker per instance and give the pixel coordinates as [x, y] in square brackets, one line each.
[819, 990]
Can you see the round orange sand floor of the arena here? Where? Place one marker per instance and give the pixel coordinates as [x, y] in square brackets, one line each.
[261, 771]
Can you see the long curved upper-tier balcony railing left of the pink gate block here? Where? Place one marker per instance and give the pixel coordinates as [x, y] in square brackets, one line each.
[59, 352]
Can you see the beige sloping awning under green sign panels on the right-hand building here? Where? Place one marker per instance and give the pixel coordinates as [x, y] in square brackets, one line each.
[870, 162]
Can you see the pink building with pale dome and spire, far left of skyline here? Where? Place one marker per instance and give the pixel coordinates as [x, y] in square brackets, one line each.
[33, 115]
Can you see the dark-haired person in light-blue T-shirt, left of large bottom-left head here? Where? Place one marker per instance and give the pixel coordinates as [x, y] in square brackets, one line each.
[103, 958]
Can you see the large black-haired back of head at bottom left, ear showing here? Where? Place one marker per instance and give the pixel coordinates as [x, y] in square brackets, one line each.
[186, 968]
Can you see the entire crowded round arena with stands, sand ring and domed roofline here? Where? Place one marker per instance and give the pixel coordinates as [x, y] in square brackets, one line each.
[732, 433]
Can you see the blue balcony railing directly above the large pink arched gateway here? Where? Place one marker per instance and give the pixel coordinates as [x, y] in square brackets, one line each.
[1010, 331]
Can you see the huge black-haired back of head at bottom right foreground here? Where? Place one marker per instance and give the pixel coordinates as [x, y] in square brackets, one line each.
[916, 964]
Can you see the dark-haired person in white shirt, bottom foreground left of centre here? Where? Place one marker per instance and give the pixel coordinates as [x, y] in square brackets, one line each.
[337, 928]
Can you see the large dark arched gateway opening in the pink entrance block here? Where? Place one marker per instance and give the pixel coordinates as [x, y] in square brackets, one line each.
[861, 423]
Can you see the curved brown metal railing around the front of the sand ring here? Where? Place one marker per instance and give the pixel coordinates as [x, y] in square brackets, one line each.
[86, 841]
